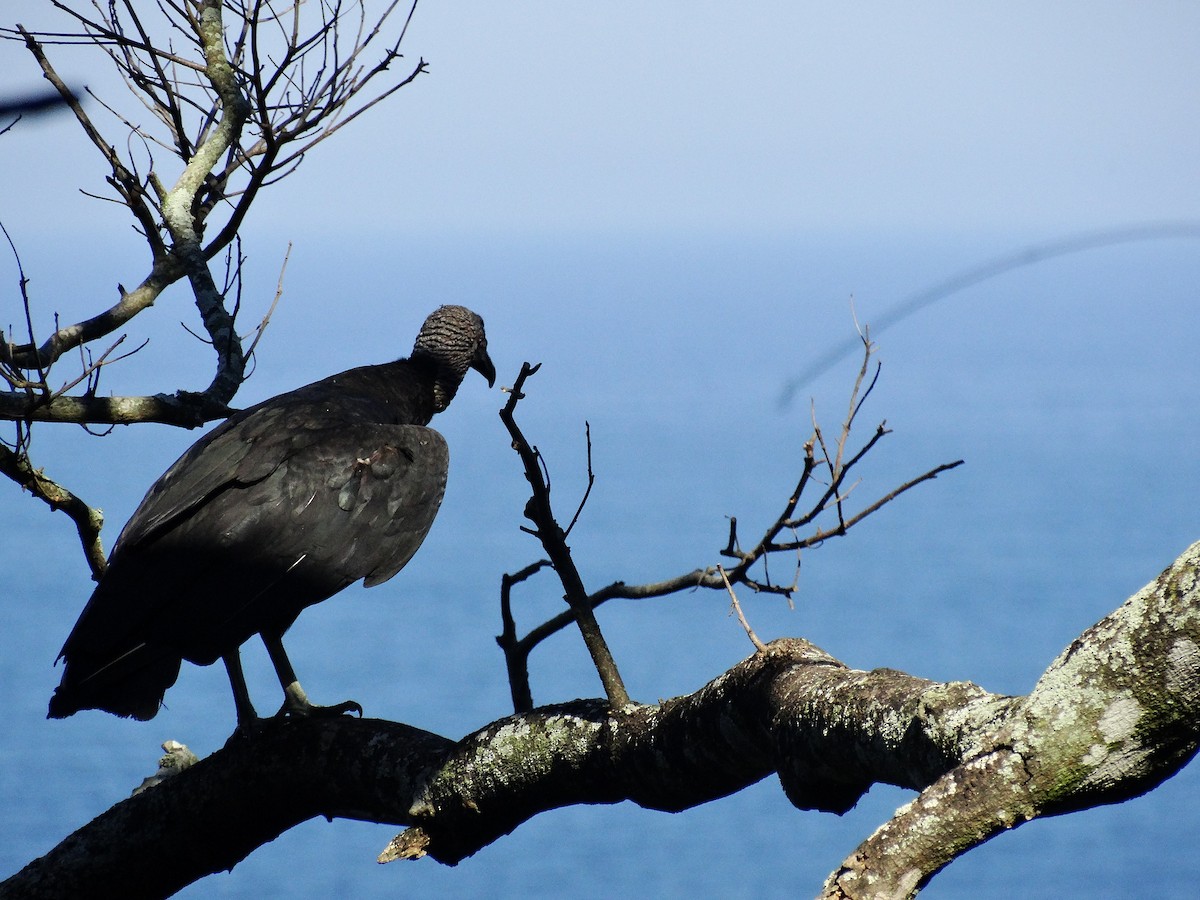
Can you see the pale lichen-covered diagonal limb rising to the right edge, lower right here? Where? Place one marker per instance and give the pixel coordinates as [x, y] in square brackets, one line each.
[1114, 717]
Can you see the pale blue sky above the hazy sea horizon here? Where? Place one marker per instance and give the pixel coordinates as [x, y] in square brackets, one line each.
[1025, 118]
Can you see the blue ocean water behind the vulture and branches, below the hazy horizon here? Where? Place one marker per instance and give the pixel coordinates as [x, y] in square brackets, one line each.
[1070, 388]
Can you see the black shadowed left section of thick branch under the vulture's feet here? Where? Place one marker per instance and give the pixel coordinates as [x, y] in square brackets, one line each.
[225, 807]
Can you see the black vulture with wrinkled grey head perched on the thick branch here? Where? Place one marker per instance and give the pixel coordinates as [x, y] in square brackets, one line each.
[279, 508]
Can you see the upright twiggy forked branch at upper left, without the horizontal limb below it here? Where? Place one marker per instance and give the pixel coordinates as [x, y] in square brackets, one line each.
[233, 122]
